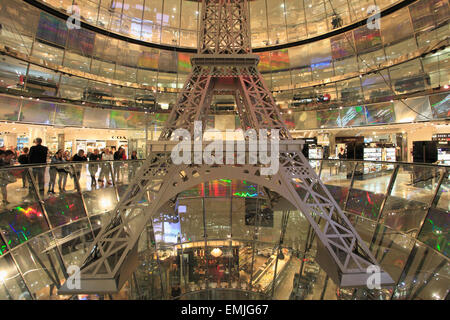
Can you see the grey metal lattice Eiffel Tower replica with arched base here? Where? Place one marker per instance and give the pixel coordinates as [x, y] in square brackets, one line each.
[224, 63]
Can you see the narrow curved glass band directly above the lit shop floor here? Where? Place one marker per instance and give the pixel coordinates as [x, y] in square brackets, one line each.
[34, 111]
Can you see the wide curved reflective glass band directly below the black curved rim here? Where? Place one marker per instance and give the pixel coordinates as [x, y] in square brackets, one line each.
[411, 56]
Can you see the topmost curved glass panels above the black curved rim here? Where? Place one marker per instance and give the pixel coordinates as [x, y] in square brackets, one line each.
[176, 22]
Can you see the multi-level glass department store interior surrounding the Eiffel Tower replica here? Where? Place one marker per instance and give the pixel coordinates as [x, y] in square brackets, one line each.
[371, 105]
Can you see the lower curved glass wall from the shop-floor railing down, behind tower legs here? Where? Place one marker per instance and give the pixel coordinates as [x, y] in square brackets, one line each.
[223, 234]
